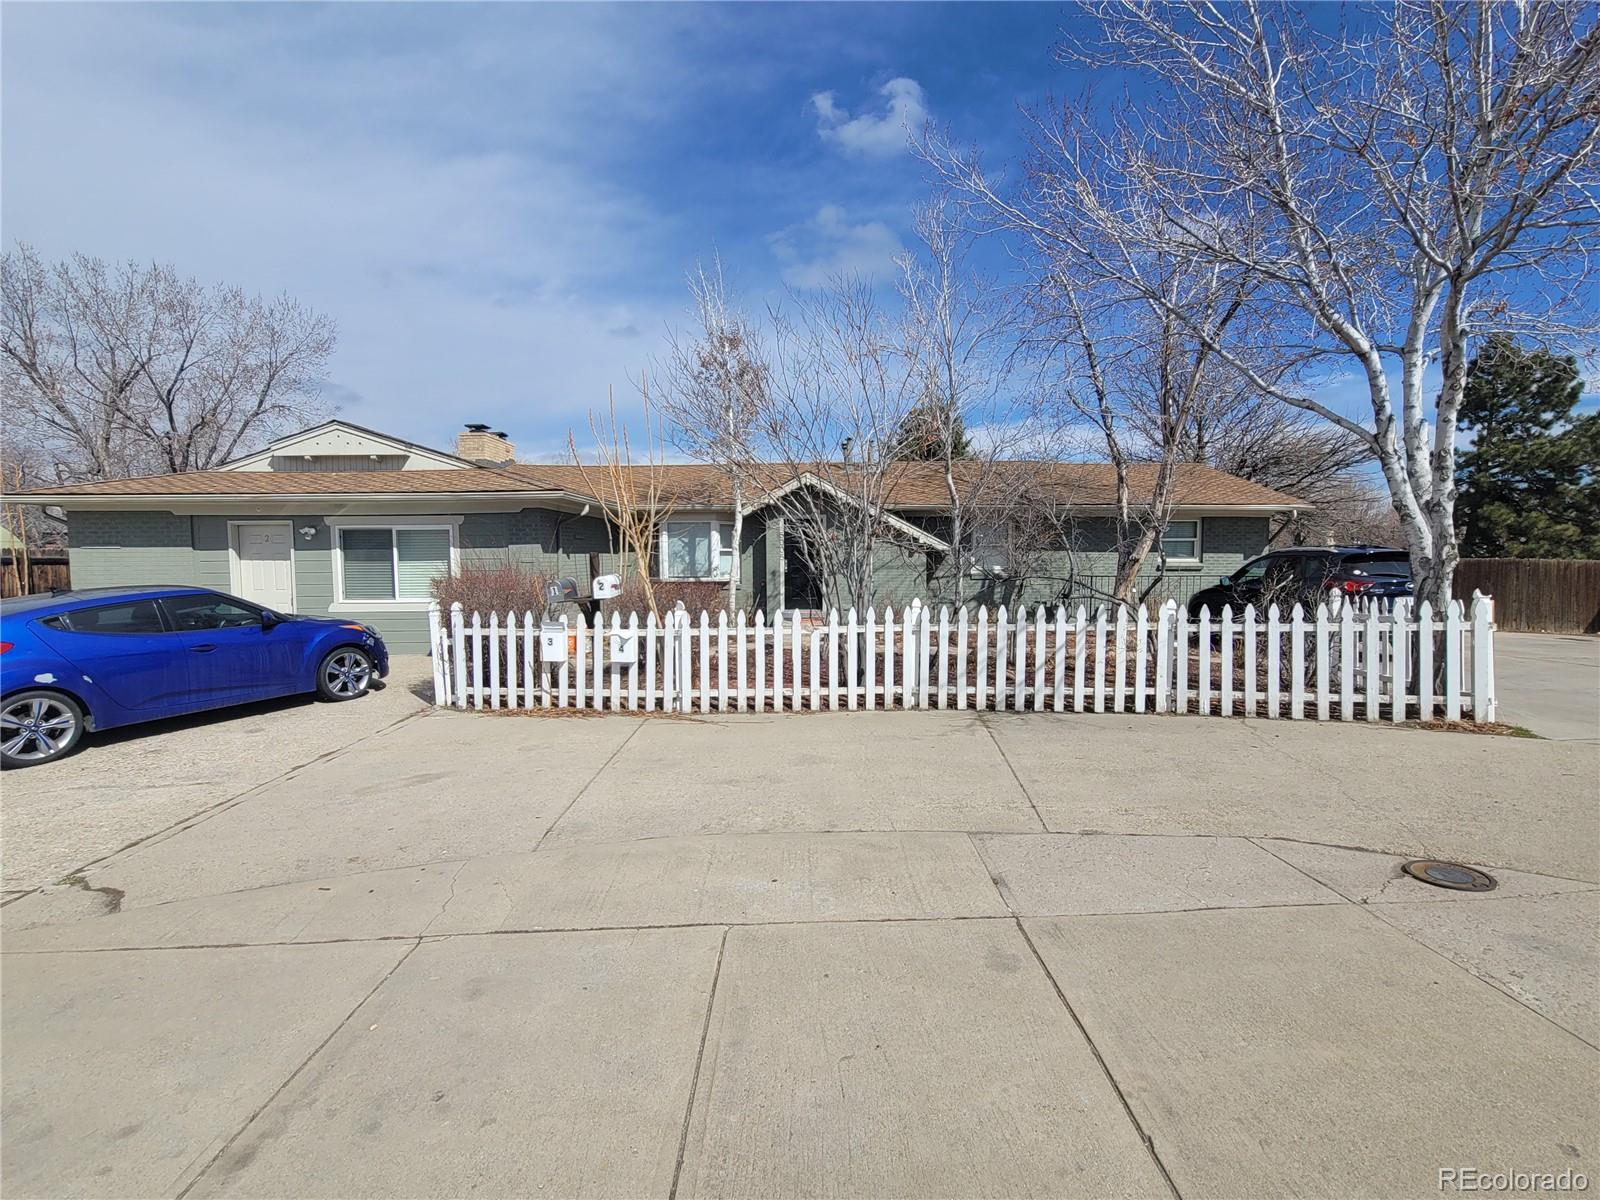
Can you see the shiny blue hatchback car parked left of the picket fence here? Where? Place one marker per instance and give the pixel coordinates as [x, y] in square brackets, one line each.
[108, 657]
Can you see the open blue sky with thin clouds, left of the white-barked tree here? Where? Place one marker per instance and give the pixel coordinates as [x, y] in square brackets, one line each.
[497, 204]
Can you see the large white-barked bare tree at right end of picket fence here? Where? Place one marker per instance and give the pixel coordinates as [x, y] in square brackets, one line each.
[1394, 188]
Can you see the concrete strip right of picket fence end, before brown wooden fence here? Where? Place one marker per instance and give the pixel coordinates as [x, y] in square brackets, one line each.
[1550, 684]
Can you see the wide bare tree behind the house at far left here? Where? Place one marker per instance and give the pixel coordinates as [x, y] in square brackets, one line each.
[134, 369]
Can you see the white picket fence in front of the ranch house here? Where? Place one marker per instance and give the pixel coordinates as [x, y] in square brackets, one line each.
[1335, 663]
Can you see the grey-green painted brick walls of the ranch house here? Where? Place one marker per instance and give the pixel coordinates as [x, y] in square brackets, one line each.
[161, 548]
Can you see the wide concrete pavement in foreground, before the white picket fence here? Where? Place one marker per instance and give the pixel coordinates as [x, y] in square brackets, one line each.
[857, 954]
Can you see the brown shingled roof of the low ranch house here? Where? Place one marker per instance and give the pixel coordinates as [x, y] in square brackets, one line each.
[913, 486]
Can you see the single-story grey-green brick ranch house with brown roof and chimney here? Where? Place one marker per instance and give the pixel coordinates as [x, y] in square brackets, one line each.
[346, 521]
